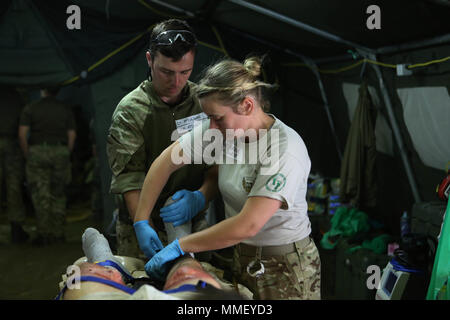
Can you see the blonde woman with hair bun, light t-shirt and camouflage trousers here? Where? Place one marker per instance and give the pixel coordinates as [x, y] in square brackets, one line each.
[265, 203]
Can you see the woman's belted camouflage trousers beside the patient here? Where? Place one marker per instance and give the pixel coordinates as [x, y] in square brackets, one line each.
[294, 275]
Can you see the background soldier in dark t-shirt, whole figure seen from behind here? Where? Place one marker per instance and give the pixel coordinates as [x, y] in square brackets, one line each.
[51, 127]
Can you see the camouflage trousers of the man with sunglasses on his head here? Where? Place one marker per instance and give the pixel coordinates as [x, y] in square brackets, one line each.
[127, 244]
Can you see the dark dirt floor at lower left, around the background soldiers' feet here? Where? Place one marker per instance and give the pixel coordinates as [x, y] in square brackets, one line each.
[33, 273]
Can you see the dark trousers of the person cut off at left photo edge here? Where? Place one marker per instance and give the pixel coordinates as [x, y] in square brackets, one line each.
[12, 172]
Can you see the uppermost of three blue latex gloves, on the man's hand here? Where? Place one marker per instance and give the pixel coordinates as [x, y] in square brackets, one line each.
[187, 205]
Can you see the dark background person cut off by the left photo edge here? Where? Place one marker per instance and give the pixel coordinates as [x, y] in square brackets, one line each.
[11, 162]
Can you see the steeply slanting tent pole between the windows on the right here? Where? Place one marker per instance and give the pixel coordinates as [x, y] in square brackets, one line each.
[396, 131]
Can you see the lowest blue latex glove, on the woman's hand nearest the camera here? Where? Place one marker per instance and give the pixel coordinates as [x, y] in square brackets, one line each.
[157, 266]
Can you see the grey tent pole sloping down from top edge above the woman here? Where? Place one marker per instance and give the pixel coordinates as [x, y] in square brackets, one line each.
[298, 24]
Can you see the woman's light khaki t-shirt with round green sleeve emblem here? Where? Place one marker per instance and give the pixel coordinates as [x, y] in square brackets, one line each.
[281, 174]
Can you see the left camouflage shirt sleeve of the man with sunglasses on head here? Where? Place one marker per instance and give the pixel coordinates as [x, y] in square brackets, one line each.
[125, 145]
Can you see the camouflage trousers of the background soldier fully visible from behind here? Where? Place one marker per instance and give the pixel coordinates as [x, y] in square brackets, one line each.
[48, 172]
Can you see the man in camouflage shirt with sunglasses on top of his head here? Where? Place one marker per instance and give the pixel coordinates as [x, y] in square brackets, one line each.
[143, 125]
